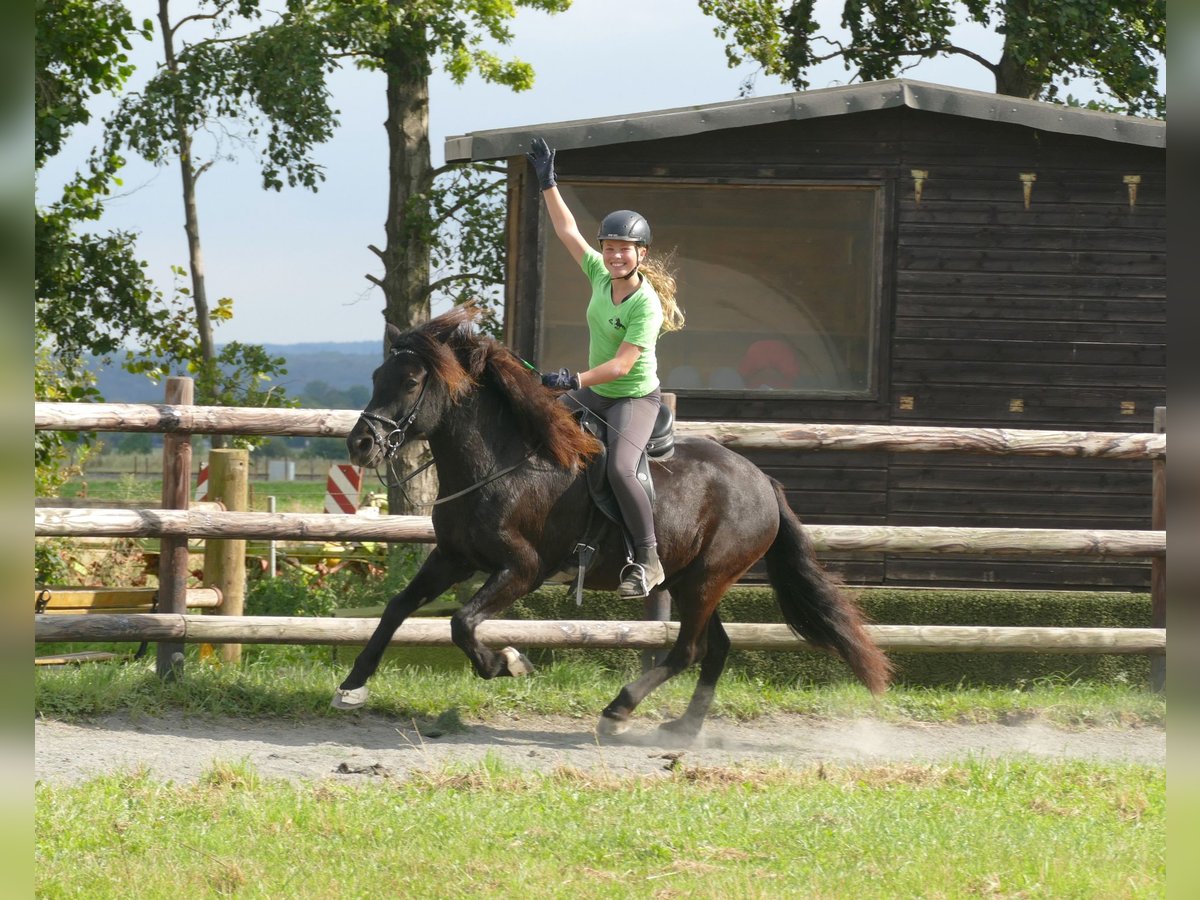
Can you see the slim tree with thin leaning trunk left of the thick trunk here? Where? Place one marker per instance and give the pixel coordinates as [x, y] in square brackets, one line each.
[238, 81]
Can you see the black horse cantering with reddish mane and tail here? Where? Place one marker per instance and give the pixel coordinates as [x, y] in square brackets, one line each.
[514, 502]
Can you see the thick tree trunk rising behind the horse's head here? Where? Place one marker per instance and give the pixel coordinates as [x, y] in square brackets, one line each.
[406, 256]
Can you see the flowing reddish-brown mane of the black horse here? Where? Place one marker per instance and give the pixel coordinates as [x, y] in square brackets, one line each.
[463, 358]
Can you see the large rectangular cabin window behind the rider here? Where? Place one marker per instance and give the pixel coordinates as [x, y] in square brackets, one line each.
[781, 284]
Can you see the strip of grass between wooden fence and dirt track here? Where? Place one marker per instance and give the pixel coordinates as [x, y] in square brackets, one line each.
[297, 683]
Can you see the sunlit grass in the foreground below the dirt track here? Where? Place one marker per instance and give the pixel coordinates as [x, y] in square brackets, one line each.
[1010, 829]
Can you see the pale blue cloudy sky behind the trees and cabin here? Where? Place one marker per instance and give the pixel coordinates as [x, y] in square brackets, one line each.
[295, 262]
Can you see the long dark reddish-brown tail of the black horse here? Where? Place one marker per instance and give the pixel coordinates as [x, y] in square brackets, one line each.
[815, 607]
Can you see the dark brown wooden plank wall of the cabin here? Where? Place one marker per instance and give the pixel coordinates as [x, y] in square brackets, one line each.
[994, 315]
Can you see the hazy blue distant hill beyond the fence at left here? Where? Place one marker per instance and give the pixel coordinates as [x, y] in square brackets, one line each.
[339, 365]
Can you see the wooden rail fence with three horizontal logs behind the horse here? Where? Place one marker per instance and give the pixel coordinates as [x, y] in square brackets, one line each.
[175, 524]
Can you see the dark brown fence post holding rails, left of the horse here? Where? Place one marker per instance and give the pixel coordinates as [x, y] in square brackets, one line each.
[177, 482]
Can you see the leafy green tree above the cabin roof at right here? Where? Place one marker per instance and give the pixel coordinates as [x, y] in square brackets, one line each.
[1114, 44]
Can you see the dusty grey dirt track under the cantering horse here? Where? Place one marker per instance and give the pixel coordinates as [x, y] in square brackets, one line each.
[362, 746]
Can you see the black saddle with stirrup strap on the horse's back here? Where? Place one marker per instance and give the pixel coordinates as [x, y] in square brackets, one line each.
[659, 447]
